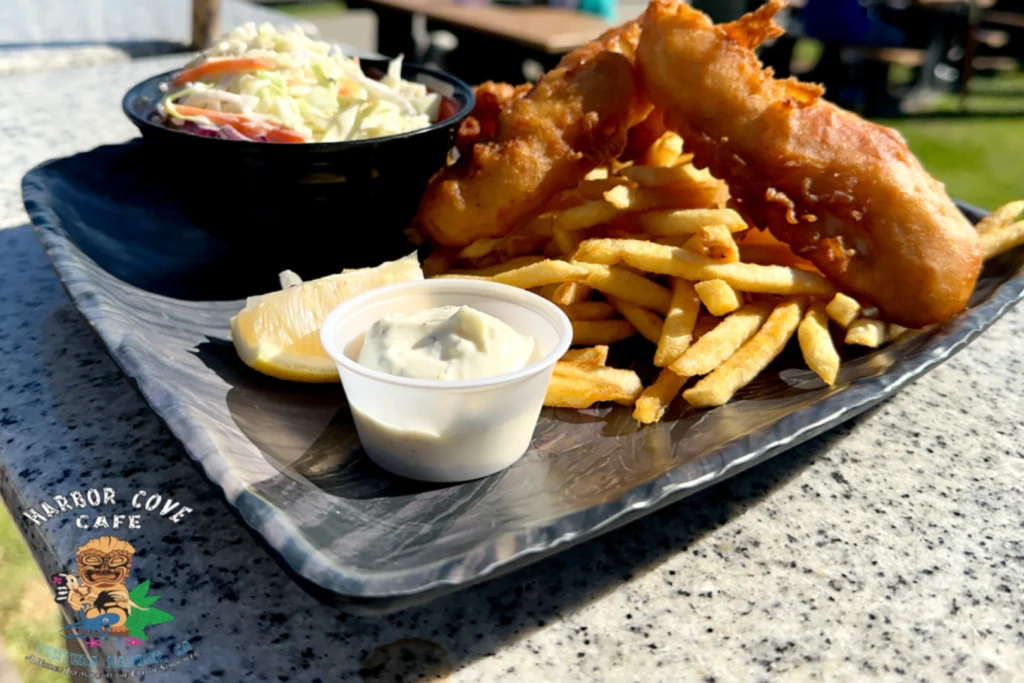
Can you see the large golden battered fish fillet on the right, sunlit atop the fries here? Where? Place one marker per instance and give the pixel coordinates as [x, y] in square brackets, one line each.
[846, 194]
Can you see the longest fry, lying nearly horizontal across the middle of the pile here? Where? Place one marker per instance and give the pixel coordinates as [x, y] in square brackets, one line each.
[666, 261]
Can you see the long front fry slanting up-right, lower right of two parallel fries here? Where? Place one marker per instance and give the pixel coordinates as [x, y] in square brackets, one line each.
[754, 357]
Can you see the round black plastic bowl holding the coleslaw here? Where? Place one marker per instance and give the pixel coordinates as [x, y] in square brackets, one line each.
[316, 207]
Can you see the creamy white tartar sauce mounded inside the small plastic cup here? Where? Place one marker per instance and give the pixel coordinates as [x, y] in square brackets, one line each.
[445, 344]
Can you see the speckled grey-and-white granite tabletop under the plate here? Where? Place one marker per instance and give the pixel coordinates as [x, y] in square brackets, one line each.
[892, 547]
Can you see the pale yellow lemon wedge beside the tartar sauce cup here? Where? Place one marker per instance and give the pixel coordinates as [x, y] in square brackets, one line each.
[278, 334]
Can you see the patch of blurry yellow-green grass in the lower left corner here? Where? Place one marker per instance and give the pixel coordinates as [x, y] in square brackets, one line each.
[28, 614]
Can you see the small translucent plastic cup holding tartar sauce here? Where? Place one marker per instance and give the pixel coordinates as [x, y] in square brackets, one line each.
[437, 431]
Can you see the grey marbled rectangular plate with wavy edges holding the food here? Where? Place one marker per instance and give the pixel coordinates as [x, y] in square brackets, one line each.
[160, 292]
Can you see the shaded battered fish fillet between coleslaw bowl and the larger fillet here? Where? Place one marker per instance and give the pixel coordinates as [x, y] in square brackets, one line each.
[576, 119]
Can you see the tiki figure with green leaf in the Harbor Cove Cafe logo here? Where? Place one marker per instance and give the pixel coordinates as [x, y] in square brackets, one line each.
[100, 594]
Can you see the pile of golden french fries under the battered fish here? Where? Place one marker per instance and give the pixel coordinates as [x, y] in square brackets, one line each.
[648, 247]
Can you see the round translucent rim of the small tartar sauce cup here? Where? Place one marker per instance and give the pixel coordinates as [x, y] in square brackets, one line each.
[499, 291]
